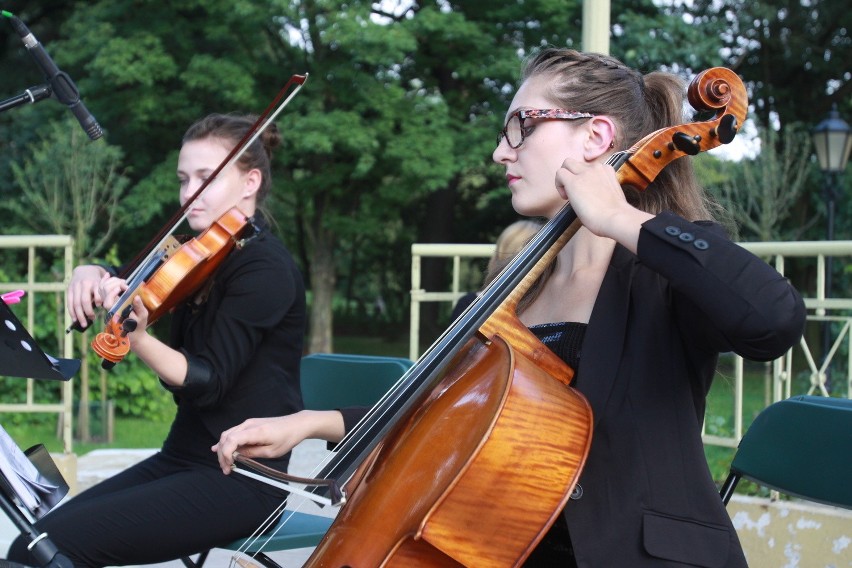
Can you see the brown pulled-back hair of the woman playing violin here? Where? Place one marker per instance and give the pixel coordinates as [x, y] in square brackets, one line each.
[232, 128]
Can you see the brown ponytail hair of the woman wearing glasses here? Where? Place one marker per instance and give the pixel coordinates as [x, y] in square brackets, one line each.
[638, 105]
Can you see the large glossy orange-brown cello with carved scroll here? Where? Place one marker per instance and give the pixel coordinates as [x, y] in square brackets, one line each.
[487, 415]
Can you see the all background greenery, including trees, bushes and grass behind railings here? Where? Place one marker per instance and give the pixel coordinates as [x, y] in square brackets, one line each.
[388, 144]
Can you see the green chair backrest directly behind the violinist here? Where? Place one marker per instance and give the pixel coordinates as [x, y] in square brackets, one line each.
[335, 380]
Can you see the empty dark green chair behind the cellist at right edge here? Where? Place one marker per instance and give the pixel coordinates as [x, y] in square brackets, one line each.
[801, 447]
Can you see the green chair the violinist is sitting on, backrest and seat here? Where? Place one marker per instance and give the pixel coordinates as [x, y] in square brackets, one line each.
[328, 381]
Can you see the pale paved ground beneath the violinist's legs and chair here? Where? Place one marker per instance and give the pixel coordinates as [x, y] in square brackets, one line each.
[100, 464]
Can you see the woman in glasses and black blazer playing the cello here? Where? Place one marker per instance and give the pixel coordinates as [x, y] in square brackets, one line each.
[640, 302]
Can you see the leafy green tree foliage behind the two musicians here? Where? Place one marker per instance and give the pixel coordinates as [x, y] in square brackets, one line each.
[390, 141]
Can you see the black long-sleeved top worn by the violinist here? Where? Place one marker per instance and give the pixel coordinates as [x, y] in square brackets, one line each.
[243, 346]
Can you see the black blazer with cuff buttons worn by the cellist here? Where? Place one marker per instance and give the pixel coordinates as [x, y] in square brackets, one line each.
[648, 358]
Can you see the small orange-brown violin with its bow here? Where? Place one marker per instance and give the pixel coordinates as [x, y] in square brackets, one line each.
[167, 272]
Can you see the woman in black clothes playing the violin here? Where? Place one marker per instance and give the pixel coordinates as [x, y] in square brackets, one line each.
[233, 353]
